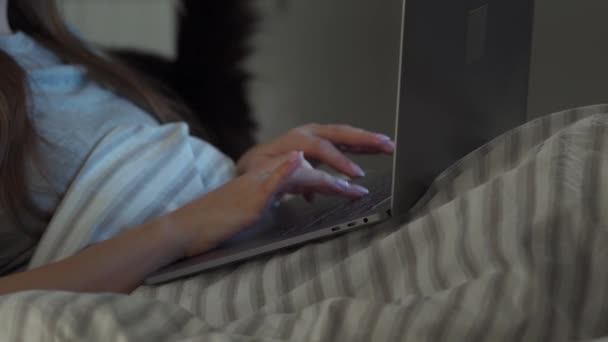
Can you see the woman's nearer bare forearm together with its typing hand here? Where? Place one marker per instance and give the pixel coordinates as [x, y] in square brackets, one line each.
[122, 263]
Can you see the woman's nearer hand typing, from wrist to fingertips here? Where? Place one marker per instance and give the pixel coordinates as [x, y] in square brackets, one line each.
[224, 212]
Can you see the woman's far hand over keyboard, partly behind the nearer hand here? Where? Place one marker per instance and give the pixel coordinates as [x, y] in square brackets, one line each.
[321, 143]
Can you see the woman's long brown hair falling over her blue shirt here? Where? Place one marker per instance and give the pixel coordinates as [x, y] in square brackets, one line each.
[41, 20]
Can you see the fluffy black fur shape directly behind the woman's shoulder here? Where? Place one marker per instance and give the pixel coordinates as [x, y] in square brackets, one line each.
[207, 73]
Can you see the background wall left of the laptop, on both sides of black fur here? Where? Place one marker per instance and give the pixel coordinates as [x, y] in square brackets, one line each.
[316, 60]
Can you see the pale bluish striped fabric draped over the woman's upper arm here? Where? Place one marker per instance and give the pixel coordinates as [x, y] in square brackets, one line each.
[134, 174]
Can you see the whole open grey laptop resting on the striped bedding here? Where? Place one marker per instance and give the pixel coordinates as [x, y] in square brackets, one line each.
[463, 80]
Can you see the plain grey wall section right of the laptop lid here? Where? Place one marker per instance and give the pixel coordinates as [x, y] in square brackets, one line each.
[570, 55]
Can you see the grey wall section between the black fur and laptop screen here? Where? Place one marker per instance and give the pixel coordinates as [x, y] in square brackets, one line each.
[327, 61]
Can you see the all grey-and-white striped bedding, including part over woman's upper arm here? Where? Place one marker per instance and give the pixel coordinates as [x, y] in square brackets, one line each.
[509, 244]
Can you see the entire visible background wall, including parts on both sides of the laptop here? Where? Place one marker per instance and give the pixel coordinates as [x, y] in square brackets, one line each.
[328, 61]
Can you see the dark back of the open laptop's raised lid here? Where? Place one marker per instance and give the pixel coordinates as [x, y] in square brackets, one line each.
[463, 81]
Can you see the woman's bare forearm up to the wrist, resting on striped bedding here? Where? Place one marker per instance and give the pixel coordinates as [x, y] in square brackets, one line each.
[116, 265]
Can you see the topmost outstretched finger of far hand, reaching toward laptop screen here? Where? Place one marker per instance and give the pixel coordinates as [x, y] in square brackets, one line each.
[354, 137]
